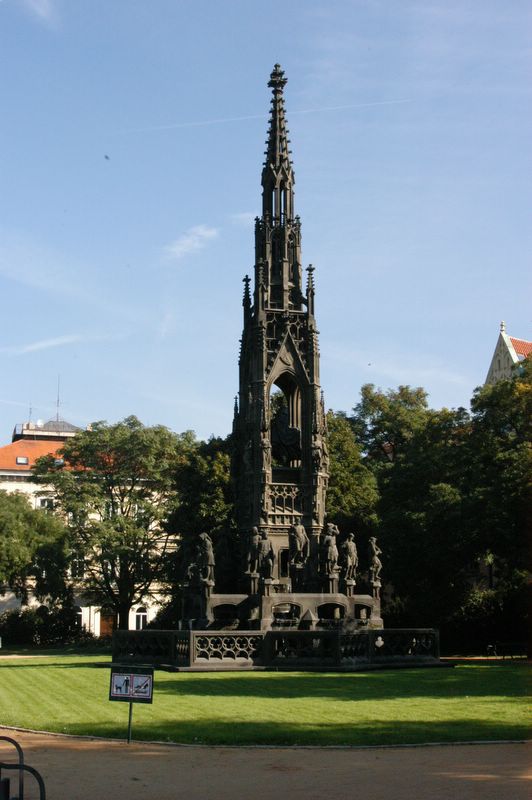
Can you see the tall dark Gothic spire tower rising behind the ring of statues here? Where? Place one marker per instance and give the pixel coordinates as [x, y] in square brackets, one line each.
[280, 462]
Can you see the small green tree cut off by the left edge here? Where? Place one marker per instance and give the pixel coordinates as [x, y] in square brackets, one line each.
[33, 549]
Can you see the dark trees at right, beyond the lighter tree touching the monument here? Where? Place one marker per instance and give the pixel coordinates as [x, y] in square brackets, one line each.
[453, 497]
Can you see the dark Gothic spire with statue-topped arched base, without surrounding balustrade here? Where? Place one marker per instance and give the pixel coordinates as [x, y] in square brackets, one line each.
[297, 571]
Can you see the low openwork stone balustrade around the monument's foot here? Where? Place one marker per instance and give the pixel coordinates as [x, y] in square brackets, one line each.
[288, 649]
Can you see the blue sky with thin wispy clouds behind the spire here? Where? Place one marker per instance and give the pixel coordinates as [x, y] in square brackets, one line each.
[131, 147]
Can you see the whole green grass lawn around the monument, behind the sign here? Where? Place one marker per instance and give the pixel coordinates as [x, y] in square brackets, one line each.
[68, 694]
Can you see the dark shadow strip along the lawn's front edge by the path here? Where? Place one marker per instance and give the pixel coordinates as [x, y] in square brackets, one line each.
[234, 732]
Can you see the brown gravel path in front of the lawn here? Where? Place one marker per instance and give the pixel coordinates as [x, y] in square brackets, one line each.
[81, 769]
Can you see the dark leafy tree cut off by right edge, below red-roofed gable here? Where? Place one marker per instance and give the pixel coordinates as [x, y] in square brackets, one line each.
[501, 452]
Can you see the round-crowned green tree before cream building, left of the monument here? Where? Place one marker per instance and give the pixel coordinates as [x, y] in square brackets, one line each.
[114, 485]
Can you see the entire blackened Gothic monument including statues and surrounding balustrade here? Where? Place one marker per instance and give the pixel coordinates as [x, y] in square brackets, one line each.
[297, 603]
